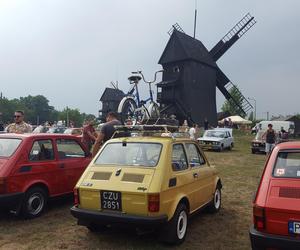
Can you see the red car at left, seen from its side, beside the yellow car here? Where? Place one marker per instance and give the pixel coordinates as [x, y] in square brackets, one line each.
[35, 167]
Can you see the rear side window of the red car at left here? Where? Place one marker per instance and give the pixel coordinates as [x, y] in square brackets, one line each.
[42, 150]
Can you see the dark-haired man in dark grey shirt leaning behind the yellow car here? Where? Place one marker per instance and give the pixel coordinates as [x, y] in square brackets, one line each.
[106, 132]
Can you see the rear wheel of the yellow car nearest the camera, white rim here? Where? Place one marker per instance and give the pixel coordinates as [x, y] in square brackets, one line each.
[175, 231]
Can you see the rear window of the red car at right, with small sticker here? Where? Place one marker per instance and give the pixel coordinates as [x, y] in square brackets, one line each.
[287, 165]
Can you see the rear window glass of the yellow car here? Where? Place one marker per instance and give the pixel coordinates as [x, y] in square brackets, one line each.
[130, 154]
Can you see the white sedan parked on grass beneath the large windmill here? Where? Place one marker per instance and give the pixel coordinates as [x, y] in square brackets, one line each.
[217, 139]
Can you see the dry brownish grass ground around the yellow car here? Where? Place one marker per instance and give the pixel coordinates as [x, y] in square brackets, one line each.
[240, 172]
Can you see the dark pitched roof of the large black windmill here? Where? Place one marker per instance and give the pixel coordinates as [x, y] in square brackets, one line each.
[184, 47]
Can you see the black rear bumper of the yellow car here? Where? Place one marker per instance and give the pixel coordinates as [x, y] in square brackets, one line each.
[86, 217]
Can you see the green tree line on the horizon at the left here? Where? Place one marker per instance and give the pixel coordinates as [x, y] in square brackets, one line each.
[37, 111]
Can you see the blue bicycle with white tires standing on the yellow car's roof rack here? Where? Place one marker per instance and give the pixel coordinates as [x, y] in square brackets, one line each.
[131, 107]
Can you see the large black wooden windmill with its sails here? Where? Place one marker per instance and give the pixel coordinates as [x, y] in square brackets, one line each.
[191, 75]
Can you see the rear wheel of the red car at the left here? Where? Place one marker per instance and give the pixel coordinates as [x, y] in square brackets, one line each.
[34, 202]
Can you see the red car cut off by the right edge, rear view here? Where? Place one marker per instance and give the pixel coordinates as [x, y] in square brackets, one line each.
[276, 207]
